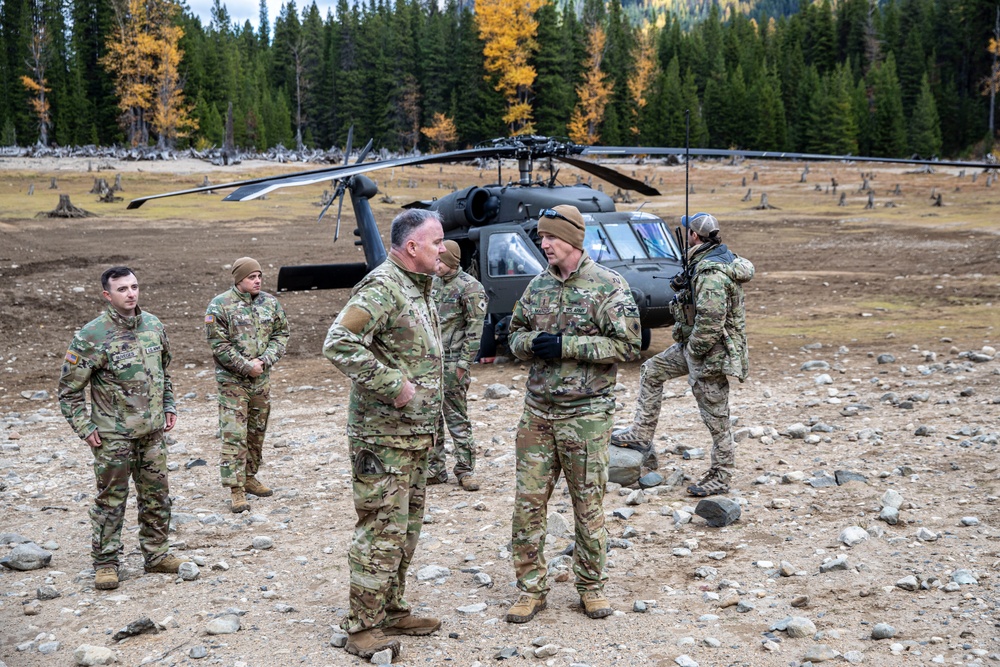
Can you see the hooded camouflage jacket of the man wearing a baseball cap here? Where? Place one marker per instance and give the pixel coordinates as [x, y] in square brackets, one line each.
[719, 332]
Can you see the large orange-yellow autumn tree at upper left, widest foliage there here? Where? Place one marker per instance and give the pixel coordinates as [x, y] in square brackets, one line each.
[142, 58]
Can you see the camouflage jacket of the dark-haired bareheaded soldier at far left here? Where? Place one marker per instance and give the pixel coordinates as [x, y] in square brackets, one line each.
[124, 359]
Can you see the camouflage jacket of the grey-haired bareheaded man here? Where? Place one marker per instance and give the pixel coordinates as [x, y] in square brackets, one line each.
[386, 334]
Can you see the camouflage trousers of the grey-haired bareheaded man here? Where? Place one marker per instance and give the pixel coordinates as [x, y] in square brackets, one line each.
[389, 489]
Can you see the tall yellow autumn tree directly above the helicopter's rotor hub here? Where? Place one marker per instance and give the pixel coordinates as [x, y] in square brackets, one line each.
[508, 31]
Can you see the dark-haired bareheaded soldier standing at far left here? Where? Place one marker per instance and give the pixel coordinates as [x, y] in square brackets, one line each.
[123, 355]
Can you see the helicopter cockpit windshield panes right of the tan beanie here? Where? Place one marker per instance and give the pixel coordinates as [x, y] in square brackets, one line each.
[642, 237]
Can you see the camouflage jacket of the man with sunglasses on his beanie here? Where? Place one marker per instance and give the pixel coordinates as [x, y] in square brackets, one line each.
[594, 311]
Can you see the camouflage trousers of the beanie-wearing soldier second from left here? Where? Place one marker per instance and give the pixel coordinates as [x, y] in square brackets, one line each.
[243, 412]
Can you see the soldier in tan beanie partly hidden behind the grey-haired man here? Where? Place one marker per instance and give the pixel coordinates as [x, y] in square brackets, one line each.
[461, 304]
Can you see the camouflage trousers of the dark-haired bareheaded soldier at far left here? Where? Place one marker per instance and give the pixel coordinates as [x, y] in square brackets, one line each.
[145, 461]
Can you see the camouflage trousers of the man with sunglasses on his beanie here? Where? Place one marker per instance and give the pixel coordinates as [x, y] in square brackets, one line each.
[578, 447]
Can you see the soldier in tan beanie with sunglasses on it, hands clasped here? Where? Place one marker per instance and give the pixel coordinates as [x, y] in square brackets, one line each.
[575, 322]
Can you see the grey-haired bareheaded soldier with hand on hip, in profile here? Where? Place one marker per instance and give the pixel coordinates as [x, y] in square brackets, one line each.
[387, 341]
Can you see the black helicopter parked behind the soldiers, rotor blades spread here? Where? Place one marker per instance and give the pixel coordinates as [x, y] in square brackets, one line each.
[496, 225]
